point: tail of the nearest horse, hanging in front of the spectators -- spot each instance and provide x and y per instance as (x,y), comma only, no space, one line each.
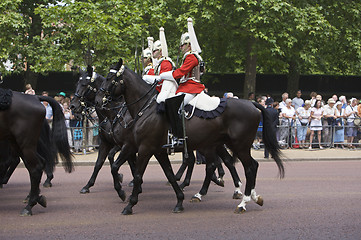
(270,139)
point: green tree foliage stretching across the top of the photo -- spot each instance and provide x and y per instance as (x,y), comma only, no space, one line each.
(304,36)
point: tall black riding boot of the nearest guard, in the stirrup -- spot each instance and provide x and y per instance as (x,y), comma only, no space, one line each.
(172,106)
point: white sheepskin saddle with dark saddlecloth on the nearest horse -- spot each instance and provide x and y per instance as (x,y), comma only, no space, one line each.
(205,106)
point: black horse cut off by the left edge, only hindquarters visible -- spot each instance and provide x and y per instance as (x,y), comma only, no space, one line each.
(21,124)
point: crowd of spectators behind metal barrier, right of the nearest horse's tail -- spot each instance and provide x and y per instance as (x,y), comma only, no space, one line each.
(315,123)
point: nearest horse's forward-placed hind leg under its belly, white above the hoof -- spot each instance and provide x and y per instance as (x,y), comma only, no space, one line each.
(211,163)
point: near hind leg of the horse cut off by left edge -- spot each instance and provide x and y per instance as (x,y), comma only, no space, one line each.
(35,171)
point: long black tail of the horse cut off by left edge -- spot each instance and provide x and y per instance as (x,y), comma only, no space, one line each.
(59,133)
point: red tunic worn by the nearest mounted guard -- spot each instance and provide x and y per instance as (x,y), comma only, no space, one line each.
(190,86)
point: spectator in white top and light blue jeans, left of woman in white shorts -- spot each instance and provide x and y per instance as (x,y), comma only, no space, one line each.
(303,120)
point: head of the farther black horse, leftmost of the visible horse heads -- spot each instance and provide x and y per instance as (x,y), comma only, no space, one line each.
(86,88)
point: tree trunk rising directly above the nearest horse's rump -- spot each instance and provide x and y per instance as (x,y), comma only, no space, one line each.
(251,69)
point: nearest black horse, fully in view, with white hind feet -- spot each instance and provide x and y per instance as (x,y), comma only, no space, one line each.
(236,128)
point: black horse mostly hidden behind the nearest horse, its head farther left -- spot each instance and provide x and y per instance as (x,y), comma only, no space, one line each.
(111,133)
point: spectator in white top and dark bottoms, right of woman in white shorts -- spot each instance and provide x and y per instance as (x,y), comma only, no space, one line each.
(328,121)
